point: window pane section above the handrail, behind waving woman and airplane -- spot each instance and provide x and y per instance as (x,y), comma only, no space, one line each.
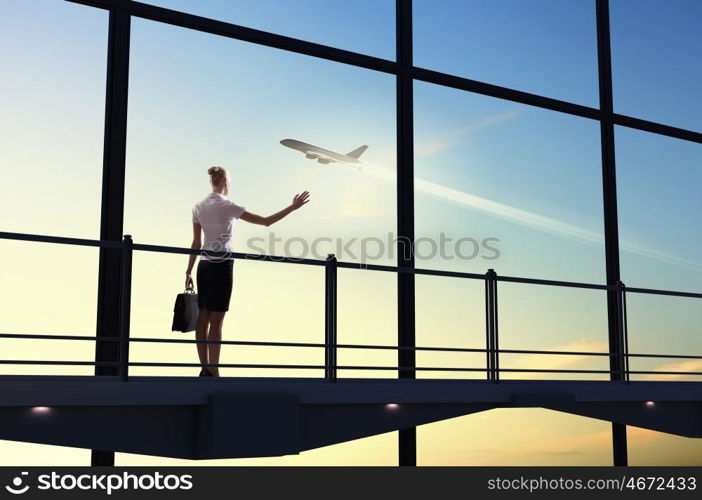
(198,100)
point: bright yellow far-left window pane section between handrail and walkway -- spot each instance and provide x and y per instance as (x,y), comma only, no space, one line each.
(42,297)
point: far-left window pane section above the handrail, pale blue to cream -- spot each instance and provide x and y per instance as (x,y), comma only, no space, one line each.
(52,96)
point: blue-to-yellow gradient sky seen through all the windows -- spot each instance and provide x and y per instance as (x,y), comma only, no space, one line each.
(524,181)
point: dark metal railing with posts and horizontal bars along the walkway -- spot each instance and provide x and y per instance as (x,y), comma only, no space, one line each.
(330,345)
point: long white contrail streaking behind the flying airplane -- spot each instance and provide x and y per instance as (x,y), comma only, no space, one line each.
(527,218)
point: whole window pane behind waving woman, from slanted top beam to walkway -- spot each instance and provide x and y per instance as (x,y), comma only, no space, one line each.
(198,100)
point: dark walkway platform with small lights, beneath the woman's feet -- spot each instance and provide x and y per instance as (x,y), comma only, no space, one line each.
(204,418)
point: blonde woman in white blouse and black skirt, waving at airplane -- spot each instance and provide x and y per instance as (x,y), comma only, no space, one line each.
(216,216)
